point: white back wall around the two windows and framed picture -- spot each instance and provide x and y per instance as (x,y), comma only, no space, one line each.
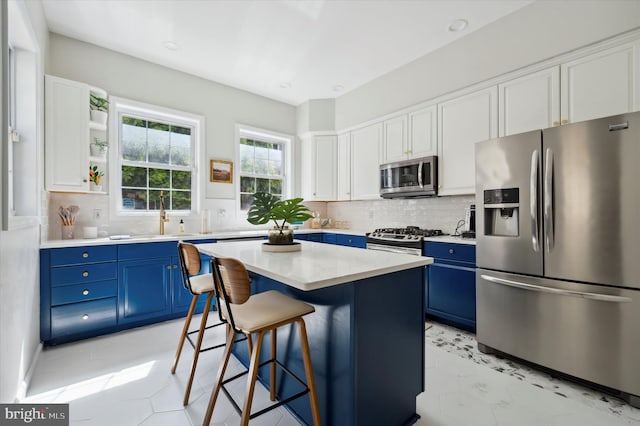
(222,106)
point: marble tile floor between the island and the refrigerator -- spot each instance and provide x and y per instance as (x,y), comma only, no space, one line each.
(467,387)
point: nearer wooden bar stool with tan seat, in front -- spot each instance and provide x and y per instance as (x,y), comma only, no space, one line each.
(258,314)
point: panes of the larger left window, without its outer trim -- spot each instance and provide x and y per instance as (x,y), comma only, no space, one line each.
(156,156)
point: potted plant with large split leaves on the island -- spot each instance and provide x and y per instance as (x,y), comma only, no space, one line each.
(267,207)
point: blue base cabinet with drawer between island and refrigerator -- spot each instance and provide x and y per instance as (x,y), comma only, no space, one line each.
(450,289)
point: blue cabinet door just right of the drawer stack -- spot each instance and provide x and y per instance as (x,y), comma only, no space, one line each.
(144,289)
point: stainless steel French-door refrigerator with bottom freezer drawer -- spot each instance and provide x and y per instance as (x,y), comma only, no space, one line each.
(558,249)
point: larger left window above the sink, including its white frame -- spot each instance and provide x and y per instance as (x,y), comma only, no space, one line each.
(156,154)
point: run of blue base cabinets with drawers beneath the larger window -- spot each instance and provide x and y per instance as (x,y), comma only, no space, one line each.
(94,290)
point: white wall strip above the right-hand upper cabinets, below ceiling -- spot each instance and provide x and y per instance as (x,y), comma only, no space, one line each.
(534,33)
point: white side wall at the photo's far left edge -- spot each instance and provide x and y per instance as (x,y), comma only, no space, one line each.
(19,258)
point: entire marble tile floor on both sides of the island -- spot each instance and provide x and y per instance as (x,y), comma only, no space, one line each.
(123,379)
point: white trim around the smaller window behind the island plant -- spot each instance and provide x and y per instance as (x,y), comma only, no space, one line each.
(267,136)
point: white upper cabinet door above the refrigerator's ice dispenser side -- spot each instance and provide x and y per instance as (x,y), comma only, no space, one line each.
(529,102)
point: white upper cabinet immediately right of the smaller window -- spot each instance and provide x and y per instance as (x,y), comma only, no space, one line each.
(320,172)
